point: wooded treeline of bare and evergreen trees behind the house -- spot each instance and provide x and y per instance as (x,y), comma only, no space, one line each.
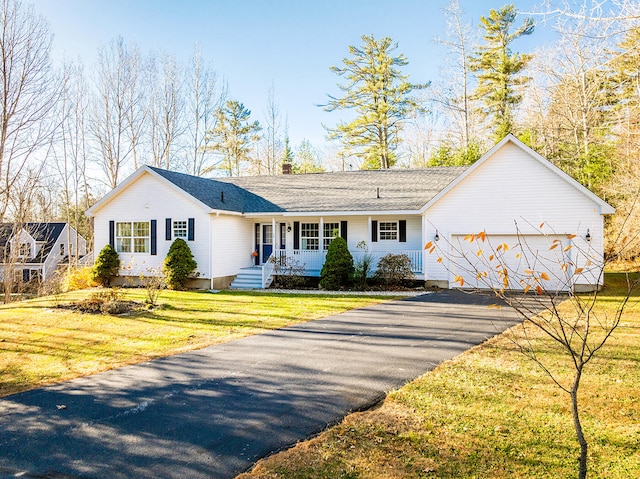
(68,135)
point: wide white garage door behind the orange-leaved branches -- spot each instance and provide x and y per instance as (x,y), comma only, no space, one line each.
(531,262)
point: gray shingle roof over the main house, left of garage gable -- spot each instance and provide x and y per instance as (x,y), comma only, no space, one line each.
(379,190)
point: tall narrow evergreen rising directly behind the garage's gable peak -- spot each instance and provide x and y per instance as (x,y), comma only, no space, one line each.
(498,68)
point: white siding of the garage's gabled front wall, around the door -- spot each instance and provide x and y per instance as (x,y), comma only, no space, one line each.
(511,193)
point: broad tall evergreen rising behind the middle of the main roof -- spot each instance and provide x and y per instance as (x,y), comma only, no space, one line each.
(381,98)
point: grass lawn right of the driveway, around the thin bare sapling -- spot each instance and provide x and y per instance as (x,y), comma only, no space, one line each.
(490,413)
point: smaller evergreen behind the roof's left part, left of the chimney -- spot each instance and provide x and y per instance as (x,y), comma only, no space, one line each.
(233,136)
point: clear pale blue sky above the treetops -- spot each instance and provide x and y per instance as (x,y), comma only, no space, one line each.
(253,44)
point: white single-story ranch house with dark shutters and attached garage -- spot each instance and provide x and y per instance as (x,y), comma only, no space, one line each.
(512,194)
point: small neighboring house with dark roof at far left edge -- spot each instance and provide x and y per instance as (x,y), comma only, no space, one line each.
(33,251)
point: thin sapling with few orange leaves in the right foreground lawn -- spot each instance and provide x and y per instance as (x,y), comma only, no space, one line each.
(549,302)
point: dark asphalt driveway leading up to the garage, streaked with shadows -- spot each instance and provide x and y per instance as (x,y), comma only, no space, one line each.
(212,413)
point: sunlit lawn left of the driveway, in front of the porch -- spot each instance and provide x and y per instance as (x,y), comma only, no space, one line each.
(41,344)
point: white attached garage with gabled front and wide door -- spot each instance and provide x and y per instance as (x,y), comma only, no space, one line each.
(541,228)
